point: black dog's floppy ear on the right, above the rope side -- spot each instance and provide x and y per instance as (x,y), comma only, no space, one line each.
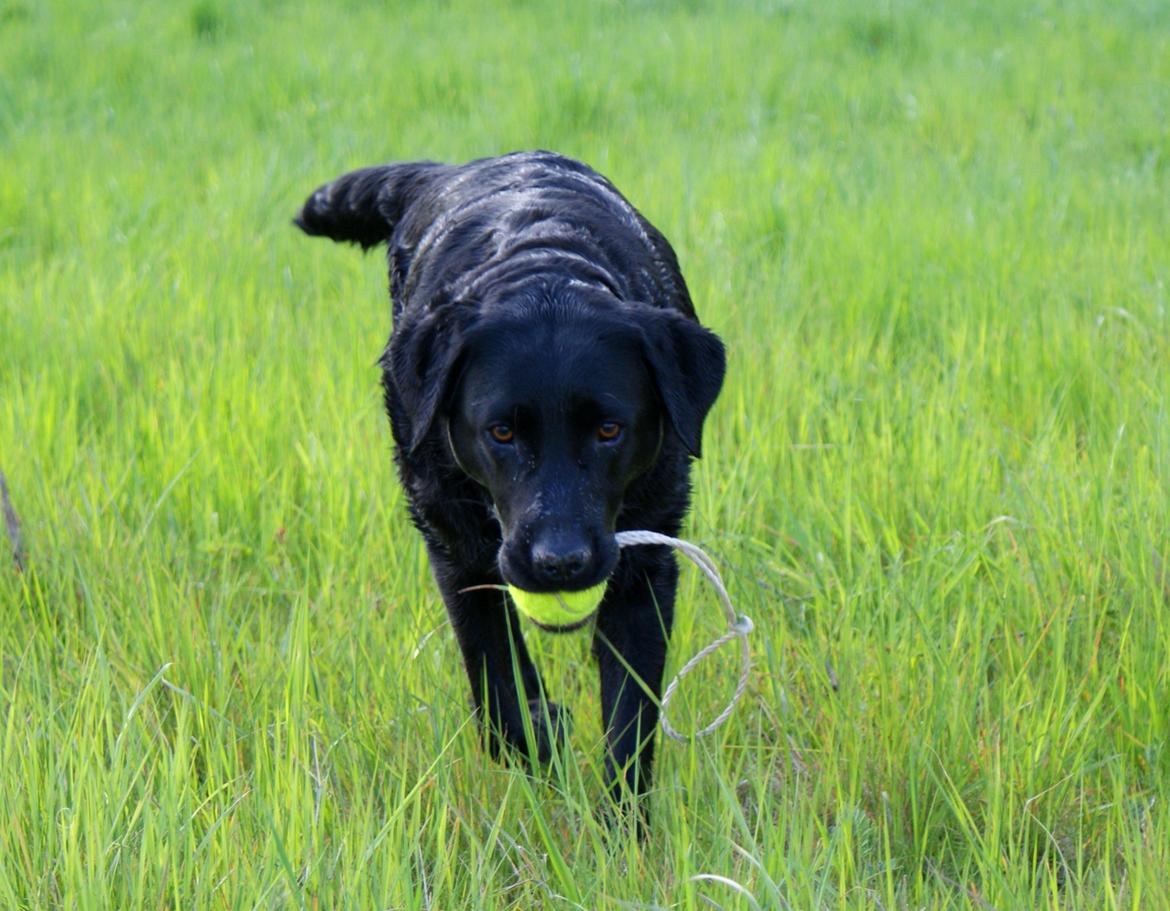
(687,363)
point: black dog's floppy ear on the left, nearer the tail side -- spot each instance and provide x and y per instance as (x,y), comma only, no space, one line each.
(423,362)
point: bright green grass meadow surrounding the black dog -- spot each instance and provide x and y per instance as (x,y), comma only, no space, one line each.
(935,240)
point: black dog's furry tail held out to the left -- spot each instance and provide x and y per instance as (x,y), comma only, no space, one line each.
(364,206)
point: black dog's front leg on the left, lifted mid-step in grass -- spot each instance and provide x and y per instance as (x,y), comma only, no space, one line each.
(506,686)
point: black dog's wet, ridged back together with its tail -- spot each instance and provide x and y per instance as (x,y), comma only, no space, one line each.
(456,231)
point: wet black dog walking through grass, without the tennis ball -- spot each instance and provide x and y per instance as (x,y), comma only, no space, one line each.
(547,383)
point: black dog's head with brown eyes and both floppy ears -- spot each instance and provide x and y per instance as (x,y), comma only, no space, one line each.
(556,410)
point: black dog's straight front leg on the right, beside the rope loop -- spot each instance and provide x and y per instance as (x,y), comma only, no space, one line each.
(630,644)
